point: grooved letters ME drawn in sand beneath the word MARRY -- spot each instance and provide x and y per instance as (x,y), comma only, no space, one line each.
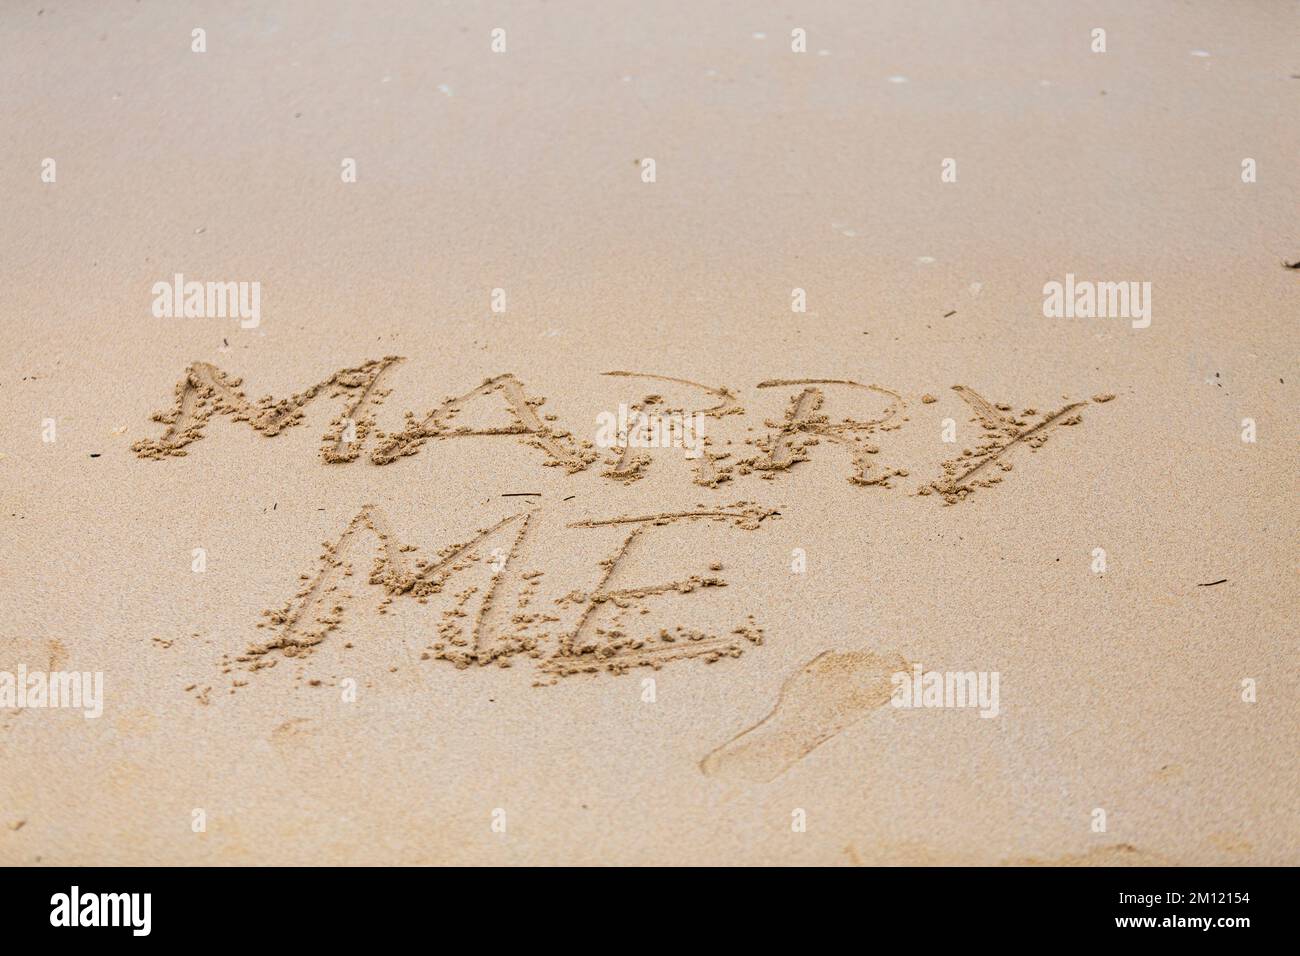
(500,631)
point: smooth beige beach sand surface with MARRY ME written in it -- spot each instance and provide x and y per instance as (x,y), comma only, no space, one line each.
(506,646)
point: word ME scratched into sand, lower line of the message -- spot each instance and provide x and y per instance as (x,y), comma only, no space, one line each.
(491,607)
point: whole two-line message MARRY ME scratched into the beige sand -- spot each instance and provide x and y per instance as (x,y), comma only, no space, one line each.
(497,612)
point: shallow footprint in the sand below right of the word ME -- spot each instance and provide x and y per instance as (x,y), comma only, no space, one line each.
(825,697)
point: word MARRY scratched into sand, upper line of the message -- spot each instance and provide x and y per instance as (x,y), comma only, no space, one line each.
(205,391)
